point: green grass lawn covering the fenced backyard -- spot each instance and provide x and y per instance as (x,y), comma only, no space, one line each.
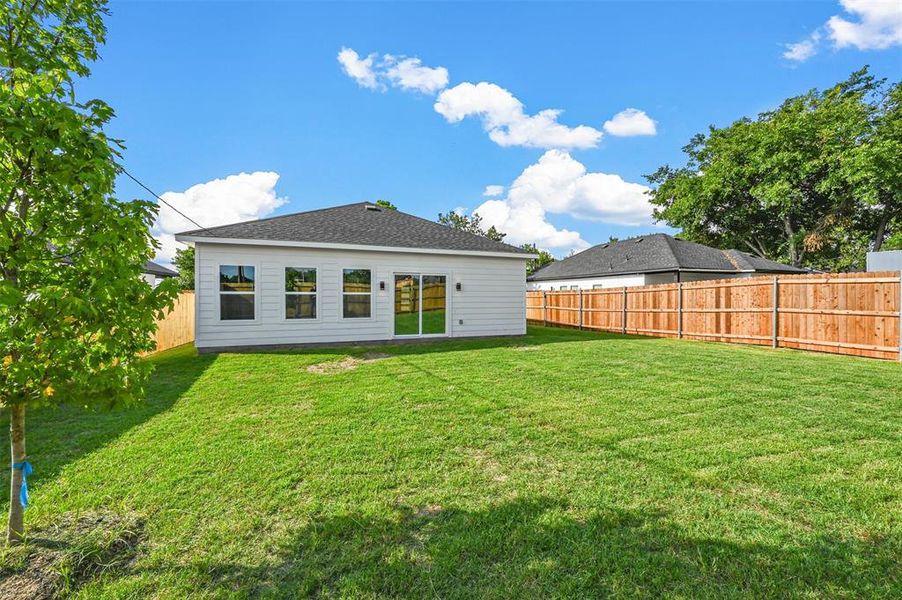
(566,464)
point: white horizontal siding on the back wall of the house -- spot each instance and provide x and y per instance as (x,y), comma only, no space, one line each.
(491,302)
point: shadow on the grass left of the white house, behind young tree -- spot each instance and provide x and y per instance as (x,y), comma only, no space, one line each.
(56,436)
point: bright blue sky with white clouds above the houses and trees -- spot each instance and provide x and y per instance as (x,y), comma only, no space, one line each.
(207,91)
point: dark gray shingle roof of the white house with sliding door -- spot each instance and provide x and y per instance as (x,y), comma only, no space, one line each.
(361,224)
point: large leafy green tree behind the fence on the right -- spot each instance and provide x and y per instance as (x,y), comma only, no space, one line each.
(815,182)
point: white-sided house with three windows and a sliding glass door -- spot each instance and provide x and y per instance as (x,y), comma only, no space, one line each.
(353,273)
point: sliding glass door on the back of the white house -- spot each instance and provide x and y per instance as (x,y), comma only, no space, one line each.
(420,304)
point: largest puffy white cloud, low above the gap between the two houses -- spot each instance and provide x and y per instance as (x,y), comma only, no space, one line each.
(559,184)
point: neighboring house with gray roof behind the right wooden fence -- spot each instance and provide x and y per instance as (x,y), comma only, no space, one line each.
(647,260)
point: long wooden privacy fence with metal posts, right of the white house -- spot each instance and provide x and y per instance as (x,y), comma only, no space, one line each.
(850,313)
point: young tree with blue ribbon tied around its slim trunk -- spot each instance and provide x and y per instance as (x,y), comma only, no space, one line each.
(74,309)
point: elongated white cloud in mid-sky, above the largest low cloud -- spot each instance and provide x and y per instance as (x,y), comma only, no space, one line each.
(507,123)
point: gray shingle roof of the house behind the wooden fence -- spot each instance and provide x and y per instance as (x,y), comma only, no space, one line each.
(655,253)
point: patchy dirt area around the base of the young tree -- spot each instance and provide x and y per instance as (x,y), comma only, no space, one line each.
(58,560)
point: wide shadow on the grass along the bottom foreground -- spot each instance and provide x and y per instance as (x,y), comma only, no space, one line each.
(534,548)
